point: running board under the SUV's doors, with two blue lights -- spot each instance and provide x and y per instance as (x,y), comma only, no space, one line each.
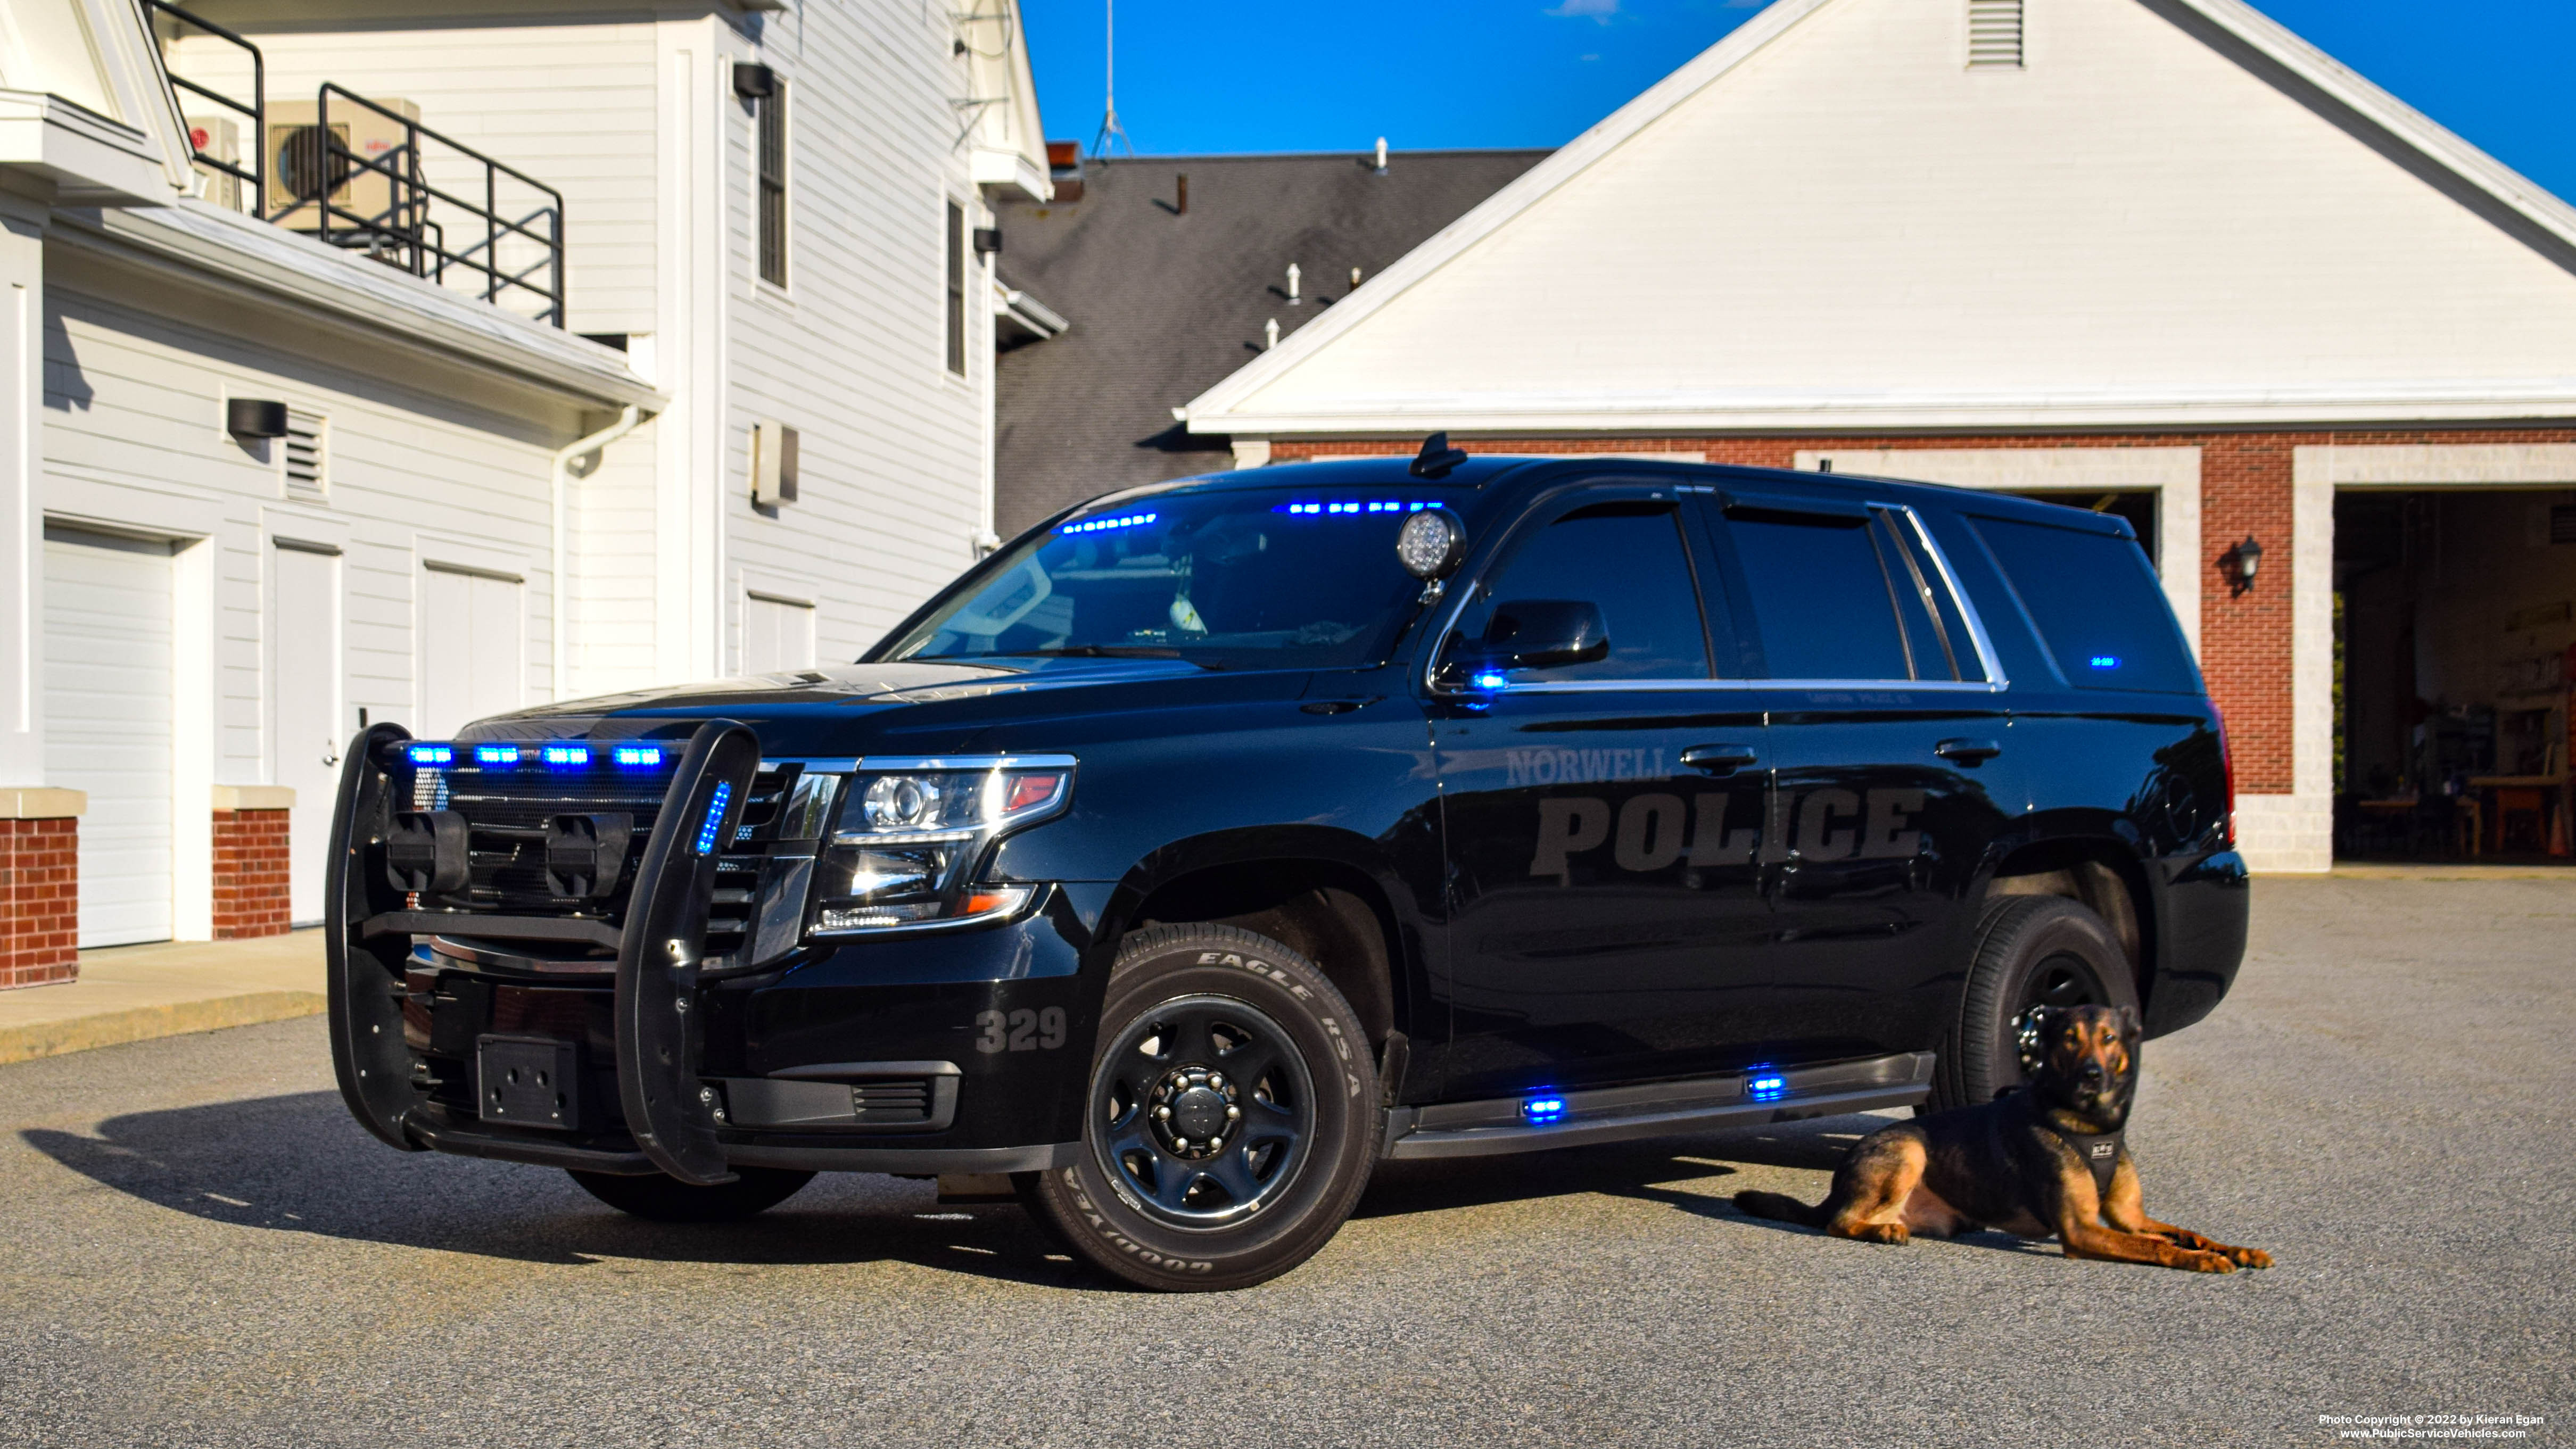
(1658,1111)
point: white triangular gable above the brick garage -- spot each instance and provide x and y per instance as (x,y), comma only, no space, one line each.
(2083,243)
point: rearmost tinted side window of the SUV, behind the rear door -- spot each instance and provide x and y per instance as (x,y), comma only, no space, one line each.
(2096,604)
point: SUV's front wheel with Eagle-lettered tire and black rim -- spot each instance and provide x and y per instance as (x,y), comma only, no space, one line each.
(1230,1123)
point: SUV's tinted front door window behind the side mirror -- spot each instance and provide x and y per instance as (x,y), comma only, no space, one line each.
(1624,557)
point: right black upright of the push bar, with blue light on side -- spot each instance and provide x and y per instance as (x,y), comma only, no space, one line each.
(661,1038)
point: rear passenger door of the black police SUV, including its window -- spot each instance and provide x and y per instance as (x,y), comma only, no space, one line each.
(1889,748)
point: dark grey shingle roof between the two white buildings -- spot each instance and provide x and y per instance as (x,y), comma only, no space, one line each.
(1168,305)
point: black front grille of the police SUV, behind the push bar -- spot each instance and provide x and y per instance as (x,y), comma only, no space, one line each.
(506,838)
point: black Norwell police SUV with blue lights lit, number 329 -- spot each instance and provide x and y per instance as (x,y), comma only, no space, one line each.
(1217,840)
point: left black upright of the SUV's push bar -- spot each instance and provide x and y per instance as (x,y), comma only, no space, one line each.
(365,977)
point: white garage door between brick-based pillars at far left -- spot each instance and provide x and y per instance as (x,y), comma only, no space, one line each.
(107,724)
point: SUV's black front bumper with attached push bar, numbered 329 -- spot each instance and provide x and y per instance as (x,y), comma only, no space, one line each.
(936,1054)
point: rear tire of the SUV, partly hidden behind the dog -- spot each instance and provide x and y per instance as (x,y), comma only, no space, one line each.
(2029,951)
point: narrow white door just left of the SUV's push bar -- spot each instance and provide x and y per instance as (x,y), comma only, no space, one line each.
(308,730)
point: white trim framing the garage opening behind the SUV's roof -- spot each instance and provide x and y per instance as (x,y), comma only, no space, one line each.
(2173,475)
